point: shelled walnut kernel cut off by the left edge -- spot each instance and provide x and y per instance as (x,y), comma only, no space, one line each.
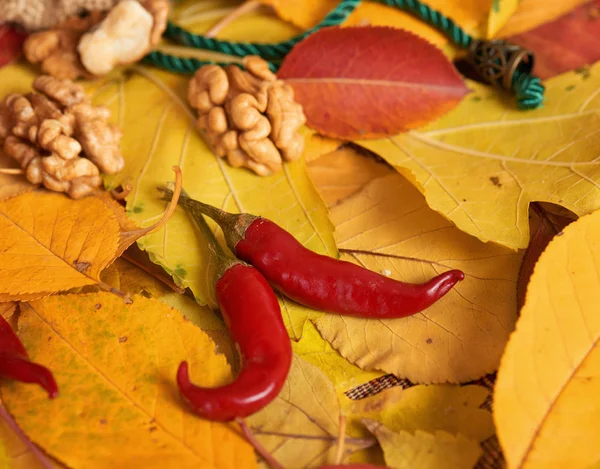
(58,138)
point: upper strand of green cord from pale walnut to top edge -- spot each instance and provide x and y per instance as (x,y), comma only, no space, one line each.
(266,51)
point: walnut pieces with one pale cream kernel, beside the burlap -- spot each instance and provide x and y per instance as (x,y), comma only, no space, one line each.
(91,45)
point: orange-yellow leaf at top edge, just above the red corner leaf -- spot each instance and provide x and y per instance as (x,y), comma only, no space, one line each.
(533,13)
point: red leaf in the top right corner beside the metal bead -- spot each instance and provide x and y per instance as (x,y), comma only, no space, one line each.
(565,44)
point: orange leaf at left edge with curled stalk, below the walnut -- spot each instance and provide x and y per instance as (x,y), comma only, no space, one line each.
(50,243)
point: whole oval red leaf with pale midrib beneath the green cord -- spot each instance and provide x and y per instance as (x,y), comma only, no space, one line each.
(369,82)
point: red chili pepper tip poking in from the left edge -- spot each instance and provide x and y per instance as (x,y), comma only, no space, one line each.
(15,364)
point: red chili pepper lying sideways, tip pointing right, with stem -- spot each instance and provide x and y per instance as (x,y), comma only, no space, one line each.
(318,281)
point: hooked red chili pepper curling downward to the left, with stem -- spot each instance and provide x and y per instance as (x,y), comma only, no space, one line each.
(253,317)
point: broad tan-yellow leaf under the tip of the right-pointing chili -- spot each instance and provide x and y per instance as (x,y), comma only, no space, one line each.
(389,228)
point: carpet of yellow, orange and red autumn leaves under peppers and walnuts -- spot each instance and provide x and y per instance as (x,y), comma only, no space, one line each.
(409,169)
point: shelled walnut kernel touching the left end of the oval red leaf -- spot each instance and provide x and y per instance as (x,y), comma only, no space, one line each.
(250,117)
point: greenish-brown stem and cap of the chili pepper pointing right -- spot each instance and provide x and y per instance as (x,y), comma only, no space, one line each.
(234,224)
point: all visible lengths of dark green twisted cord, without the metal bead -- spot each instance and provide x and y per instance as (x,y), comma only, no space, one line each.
(528,89)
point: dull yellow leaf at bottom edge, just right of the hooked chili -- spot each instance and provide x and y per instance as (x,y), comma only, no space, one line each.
(300,427)
